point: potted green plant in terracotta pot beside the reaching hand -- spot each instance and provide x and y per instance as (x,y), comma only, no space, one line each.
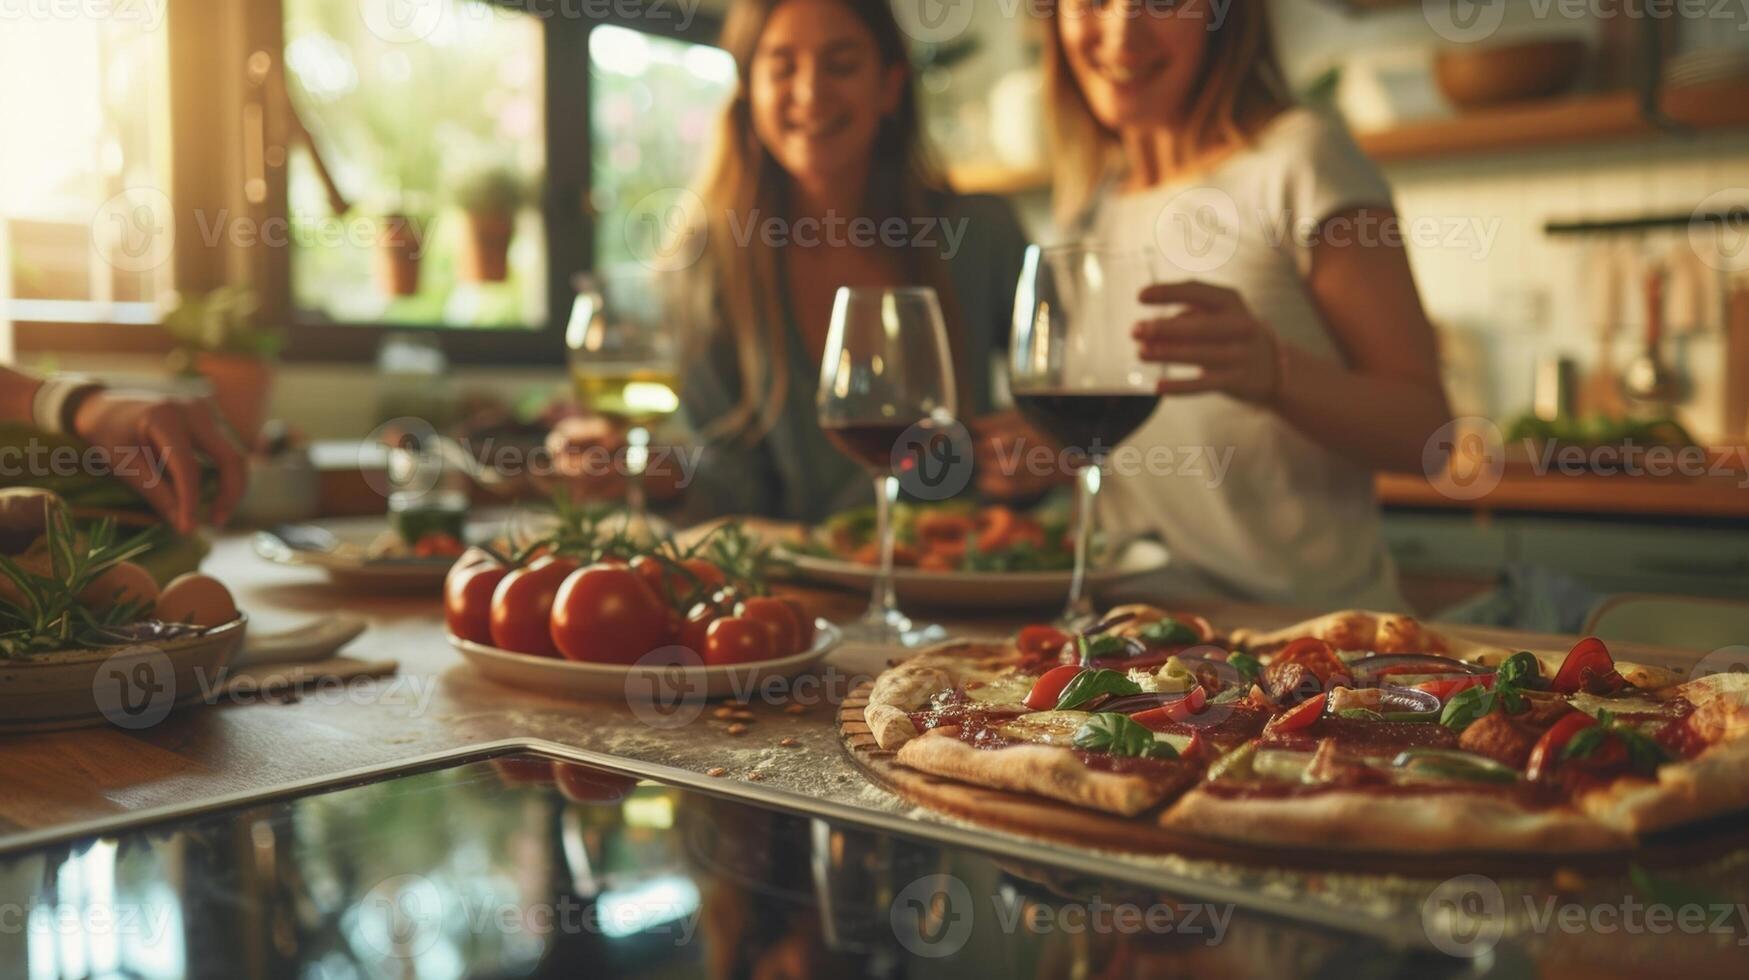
(218,339)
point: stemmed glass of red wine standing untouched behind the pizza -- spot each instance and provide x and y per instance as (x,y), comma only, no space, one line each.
(886,375)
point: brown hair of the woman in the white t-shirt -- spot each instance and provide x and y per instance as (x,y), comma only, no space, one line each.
(1241,83)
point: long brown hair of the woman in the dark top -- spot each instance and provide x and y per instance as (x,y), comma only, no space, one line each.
(742,178)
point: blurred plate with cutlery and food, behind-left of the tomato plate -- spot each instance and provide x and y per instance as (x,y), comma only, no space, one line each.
(410,552)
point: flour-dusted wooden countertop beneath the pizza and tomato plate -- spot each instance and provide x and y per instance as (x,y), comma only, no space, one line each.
(438,706)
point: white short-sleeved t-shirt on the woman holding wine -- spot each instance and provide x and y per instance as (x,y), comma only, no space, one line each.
(1248,505)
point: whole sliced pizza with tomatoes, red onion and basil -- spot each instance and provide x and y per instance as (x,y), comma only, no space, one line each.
(1309,738)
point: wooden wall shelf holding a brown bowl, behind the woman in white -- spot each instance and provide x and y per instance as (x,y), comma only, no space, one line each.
(1509,129)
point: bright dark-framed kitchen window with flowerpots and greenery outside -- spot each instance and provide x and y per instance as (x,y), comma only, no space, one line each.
(440,167)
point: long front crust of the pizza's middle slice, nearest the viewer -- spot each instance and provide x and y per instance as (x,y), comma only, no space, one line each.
(1348,820)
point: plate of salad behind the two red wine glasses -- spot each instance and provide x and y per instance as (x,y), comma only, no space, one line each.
(966,556)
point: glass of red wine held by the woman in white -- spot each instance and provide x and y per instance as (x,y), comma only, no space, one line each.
(1075,372)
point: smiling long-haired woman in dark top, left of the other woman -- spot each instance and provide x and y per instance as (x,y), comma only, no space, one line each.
(823,179)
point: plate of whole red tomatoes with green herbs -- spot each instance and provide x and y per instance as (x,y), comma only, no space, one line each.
(594,612)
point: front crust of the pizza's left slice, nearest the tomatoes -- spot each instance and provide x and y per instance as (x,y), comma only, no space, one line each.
(1045,771)
